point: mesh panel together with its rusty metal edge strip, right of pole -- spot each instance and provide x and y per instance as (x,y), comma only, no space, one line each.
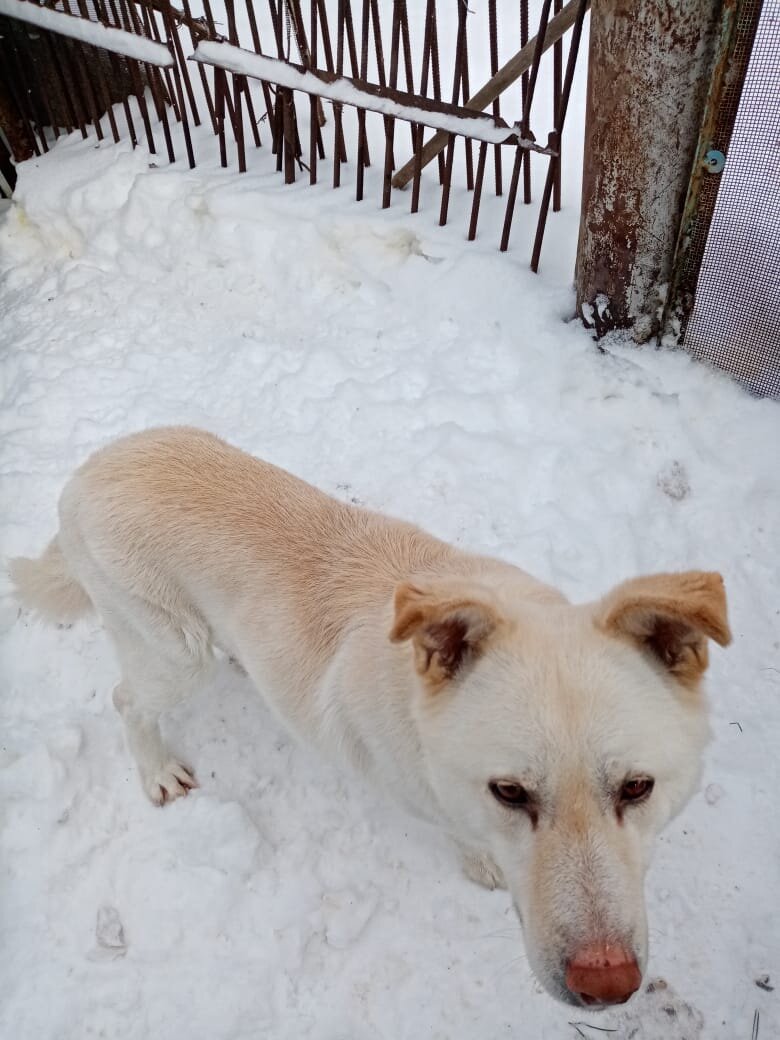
(724,304)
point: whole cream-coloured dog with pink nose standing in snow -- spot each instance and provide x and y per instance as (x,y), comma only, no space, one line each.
(552,741)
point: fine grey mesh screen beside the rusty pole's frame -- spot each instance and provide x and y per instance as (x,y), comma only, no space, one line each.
(736,320)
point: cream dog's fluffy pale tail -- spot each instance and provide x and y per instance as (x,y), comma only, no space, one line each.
(47,587)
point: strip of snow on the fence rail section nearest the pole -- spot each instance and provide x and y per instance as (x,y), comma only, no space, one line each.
(258,66)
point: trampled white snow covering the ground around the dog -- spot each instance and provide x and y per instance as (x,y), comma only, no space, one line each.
(392,365)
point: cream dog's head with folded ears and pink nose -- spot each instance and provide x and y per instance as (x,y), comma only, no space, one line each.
(563,739)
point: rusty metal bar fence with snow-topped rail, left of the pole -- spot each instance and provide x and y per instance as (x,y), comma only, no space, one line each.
(65,65)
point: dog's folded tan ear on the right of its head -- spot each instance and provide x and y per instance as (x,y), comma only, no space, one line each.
(672,616)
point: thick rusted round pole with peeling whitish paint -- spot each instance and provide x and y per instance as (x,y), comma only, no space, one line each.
(649,69)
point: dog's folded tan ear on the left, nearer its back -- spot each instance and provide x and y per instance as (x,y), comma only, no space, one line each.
(449,623)
